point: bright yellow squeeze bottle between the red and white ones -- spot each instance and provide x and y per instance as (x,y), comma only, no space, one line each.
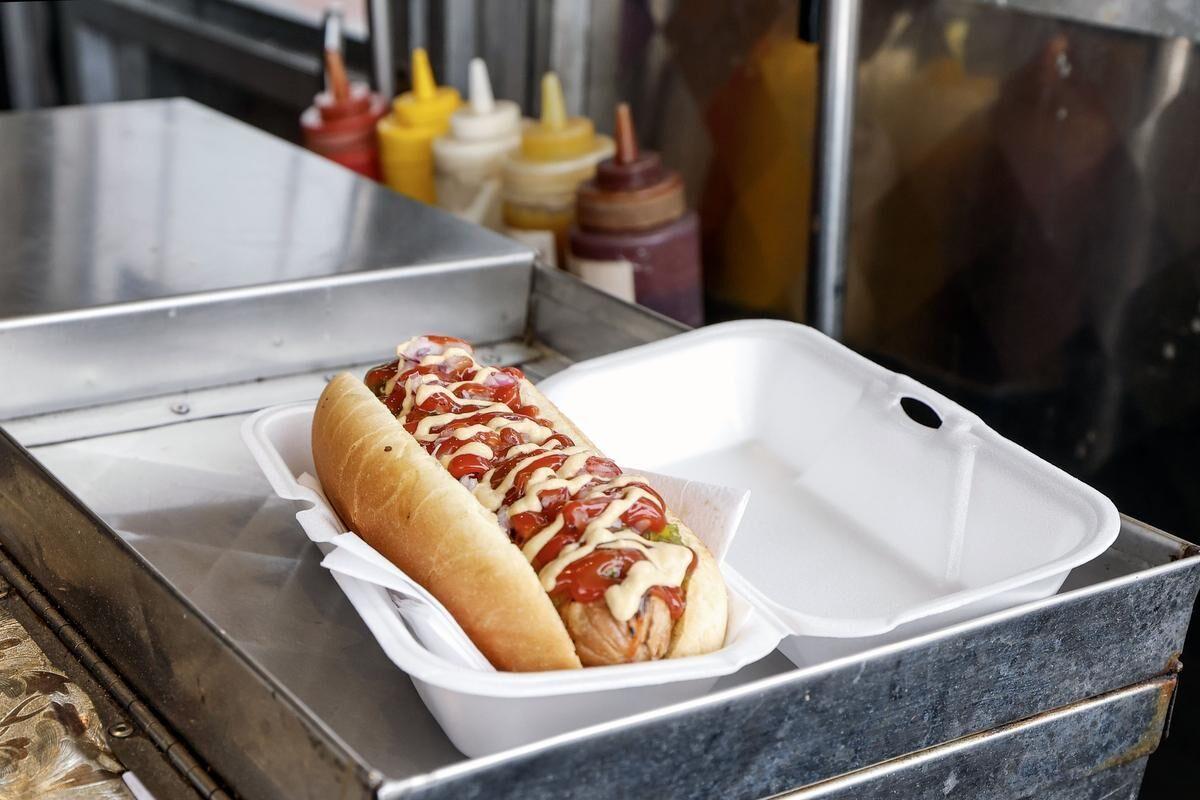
(407,134)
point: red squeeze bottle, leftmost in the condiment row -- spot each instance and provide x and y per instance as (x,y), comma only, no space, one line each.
(341,123)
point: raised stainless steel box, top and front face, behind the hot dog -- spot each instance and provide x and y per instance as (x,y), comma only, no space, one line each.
(159,246)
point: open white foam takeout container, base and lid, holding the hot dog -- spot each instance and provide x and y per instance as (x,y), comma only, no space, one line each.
(862,526)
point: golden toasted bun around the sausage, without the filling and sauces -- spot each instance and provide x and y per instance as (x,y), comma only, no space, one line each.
(406,506)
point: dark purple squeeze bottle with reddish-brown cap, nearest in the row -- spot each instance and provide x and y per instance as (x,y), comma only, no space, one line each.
(634,236)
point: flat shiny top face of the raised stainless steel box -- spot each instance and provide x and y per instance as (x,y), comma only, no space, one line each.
(135,202)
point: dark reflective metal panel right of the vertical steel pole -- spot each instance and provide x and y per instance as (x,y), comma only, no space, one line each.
(1025,222)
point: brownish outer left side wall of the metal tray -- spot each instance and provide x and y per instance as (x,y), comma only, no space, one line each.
(256,736)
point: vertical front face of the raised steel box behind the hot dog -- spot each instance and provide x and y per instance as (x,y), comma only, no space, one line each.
(212,339)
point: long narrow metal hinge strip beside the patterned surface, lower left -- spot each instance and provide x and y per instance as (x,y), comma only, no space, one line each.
(110,681)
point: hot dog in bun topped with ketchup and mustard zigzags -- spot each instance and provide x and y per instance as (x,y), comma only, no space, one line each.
(547,554)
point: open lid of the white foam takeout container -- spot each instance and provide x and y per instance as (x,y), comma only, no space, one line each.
(862,519)
